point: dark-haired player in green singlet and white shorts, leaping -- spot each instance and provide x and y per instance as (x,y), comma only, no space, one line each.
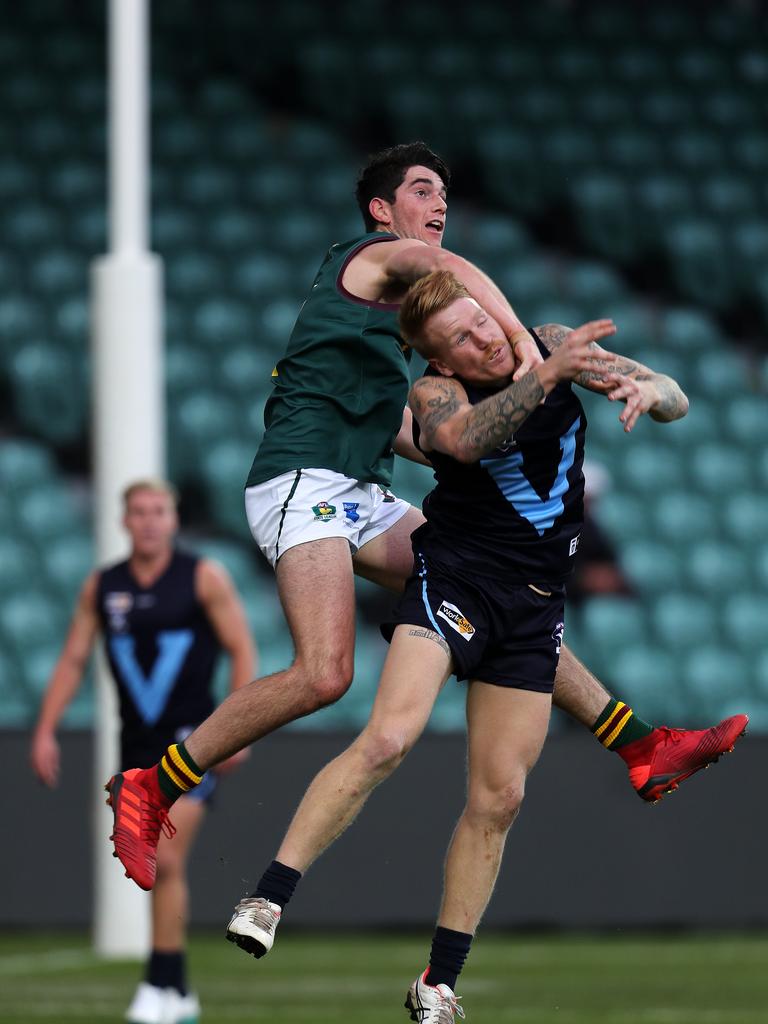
(318,499)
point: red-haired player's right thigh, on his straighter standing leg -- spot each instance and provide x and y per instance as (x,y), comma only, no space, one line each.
(506,729)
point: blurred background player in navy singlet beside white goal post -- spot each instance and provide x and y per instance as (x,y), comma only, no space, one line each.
(164,615)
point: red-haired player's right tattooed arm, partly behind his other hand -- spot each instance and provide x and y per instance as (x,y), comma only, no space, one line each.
(625,380)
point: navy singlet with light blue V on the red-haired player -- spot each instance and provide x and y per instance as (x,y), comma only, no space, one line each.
(517,515)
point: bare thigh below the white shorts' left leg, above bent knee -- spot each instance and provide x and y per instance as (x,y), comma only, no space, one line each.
(317,589)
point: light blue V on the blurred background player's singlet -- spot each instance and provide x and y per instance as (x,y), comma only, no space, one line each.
(151,696)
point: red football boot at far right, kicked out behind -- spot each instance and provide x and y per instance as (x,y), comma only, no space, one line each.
(661,761)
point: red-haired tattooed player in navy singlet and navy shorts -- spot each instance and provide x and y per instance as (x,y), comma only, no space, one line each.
(486,601)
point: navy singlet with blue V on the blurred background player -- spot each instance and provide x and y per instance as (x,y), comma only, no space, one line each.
(162,652)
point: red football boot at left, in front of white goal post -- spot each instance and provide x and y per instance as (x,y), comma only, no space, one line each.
(141,812)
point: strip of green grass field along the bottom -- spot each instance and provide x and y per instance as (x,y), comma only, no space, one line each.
(329,978)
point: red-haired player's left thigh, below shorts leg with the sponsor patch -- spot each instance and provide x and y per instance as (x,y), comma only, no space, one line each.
(416,669)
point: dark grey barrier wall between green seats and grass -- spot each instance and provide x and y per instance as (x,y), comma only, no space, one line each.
(585,852)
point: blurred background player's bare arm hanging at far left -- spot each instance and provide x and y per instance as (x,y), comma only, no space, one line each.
(64,685)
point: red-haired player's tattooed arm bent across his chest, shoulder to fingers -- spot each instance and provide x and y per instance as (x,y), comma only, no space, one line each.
(450,424)
